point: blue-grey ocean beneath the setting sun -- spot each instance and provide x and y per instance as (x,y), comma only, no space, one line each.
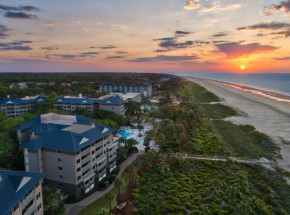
(277,83)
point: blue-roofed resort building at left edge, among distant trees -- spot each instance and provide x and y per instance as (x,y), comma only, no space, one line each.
(17,107)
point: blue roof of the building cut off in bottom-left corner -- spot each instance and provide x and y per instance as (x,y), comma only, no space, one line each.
(14,187)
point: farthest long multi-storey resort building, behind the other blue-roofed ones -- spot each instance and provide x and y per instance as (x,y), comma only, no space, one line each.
(144,88)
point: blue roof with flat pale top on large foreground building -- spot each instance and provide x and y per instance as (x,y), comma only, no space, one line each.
(63,132)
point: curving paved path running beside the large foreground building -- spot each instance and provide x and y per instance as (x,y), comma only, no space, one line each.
(74,209)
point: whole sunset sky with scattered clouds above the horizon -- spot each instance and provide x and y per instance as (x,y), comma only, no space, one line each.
(145,36)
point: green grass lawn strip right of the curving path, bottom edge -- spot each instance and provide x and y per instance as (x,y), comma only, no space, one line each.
(96,206)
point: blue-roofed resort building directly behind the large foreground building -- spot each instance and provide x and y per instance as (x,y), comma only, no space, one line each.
(113,103)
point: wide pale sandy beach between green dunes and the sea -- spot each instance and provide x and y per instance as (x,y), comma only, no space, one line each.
(270,115)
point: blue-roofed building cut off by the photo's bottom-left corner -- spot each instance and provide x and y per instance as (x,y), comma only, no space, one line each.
(21,193)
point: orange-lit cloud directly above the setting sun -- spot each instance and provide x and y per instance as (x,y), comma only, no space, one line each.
(235,50)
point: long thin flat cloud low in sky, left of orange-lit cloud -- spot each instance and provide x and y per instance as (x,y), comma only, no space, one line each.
(160,58)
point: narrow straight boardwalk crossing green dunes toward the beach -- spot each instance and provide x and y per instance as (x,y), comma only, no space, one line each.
(223,159)
